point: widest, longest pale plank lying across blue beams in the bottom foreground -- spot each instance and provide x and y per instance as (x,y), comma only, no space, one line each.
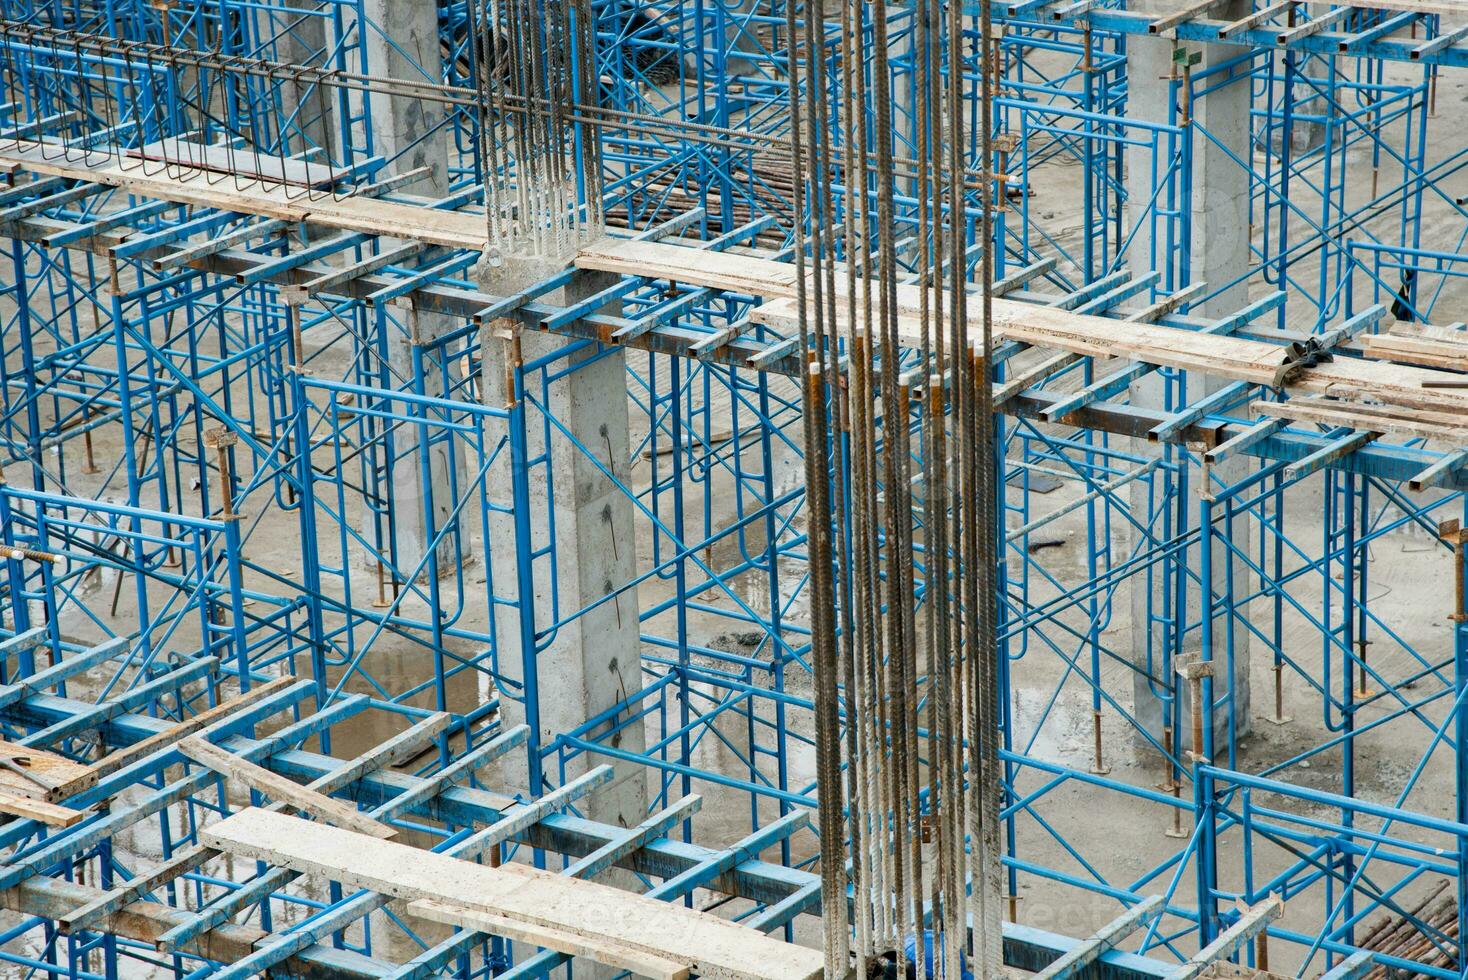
(713,947)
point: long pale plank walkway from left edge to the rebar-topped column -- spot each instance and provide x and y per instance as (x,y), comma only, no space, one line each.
(192,186)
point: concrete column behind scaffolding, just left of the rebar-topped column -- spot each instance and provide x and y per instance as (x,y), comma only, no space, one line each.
(410,134)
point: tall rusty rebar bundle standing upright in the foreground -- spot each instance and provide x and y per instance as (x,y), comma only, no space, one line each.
(917,728)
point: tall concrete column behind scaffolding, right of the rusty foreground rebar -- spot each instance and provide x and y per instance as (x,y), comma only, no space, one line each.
(1221,255)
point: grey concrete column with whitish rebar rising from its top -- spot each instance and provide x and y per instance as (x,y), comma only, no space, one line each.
(594,662)
